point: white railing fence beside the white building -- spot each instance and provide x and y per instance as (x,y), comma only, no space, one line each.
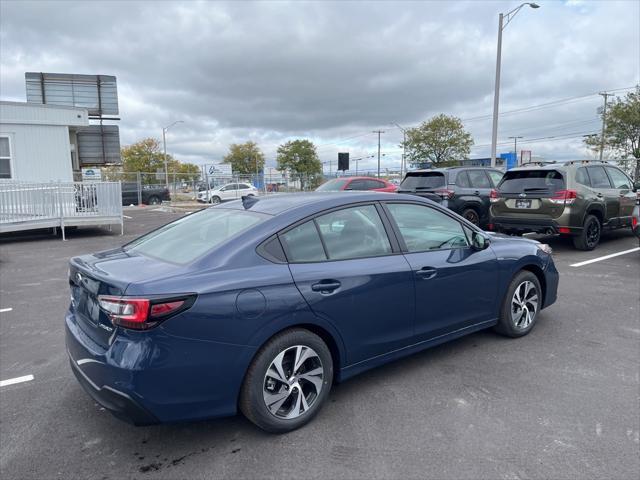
(27,206)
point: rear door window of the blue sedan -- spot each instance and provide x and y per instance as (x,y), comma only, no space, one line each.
(354,232)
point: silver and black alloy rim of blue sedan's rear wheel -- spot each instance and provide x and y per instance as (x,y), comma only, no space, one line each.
(293,382)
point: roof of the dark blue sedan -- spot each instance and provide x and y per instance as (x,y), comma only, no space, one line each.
(310,202)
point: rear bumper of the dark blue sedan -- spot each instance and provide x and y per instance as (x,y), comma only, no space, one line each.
(150,377)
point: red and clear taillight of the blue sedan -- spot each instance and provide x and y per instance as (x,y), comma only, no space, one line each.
(142,313)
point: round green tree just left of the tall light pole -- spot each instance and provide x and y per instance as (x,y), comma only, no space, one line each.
(441,141)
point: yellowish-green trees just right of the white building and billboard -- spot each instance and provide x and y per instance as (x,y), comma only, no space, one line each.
(146,156)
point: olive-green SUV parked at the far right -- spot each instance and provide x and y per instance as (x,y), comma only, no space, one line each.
(577,198)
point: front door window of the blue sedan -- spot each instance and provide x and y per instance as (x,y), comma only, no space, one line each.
(424,228)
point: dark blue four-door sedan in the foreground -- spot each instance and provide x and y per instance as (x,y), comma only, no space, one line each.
(261,304)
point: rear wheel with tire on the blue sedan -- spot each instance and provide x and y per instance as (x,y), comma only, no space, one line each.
(291,392)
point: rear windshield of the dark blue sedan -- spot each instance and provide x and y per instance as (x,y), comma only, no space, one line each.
(190,237)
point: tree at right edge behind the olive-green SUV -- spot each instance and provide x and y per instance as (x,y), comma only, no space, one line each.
(622,133)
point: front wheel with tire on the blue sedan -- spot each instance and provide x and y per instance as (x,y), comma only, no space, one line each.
(524,291)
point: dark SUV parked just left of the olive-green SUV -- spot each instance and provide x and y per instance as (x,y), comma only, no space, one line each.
(465,190)
